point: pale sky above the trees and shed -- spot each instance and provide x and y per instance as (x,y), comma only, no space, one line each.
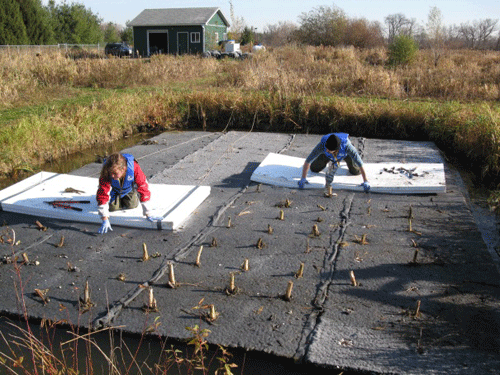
(259,13)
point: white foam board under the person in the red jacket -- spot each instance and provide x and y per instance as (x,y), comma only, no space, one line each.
(174,203)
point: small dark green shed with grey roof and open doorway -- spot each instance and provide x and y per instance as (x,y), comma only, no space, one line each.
(178,30)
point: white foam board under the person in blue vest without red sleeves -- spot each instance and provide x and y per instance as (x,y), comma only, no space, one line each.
(390,178)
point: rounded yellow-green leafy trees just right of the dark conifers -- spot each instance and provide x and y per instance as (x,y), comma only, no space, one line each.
(75,24)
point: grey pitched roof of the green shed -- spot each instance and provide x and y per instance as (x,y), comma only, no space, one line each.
(176,17)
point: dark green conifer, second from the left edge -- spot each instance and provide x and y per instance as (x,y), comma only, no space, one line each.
(37,22)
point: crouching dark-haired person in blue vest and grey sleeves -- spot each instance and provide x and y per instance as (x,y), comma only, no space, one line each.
(331,150)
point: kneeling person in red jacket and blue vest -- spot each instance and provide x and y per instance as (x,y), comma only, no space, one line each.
(122,185)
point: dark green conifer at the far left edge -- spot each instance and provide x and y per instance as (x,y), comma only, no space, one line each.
(12,28)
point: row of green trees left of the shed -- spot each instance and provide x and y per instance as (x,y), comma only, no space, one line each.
(29,22)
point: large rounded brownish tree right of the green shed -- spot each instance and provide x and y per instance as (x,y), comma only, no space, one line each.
(323,26)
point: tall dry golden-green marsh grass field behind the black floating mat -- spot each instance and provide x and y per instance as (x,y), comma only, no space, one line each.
(453,101)
